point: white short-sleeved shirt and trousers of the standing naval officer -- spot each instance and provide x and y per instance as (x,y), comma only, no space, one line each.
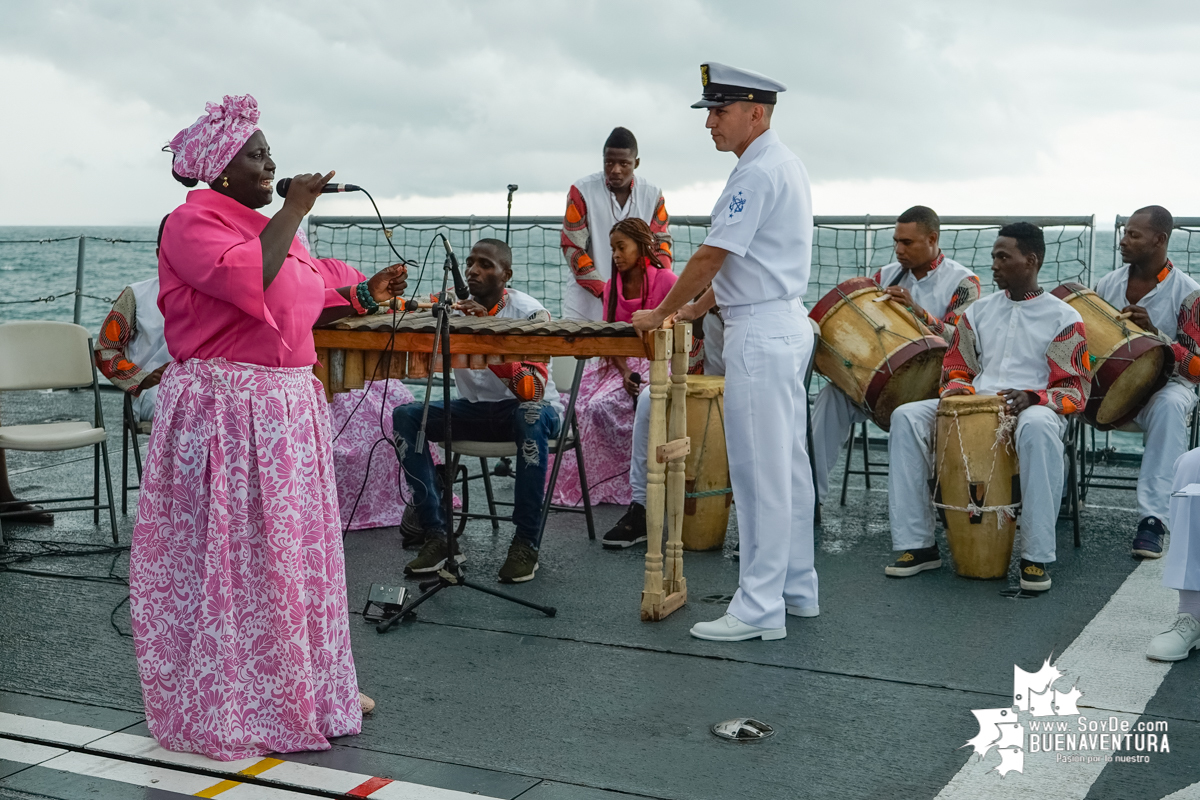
(764,221)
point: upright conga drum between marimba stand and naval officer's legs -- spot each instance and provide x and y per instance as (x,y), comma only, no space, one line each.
(707,492)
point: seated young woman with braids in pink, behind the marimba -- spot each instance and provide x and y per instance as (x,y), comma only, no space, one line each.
(610,387)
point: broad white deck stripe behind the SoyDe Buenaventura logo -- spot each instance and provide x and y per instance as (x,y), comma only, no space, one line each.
(1109,663)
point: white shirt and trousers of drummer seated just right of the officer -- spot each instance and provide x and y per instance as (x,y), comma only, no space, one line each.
(833,413)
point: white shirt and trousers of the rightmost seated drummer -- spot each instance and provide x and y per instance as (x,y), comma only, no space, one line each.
(1165,419)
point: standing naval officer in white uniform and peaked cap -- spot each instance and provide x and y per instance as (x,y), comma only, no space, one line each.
(758,257)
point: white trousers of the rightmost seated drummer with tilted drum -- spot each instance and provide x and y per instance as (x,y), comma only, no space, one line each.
(1165,425)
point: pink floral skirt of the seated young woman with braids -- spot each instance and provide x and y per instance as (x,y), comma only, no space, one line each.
(605,412)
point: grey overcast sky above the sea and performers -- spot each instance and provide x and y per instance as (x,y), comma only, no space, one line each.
(970,107)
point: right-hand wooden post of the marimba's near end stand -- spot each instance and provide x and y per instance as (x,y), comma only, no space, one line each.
(675,585)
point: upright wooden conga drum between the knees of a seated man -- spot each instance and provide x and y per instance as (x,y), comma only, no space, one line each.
(979,483)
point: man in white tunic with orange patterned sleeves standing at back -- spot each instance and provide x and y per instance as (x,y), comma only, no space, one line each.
(595,206)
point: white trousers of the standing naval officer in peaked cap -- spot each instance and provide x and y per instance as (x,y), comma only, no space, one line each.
(767,351)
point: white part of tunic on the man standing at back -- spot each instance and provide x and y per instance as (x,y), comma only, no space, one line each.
(603,214)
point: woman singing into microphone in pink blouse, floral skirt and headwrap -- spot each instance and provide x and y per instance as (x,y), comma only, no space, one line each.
(237,574)
